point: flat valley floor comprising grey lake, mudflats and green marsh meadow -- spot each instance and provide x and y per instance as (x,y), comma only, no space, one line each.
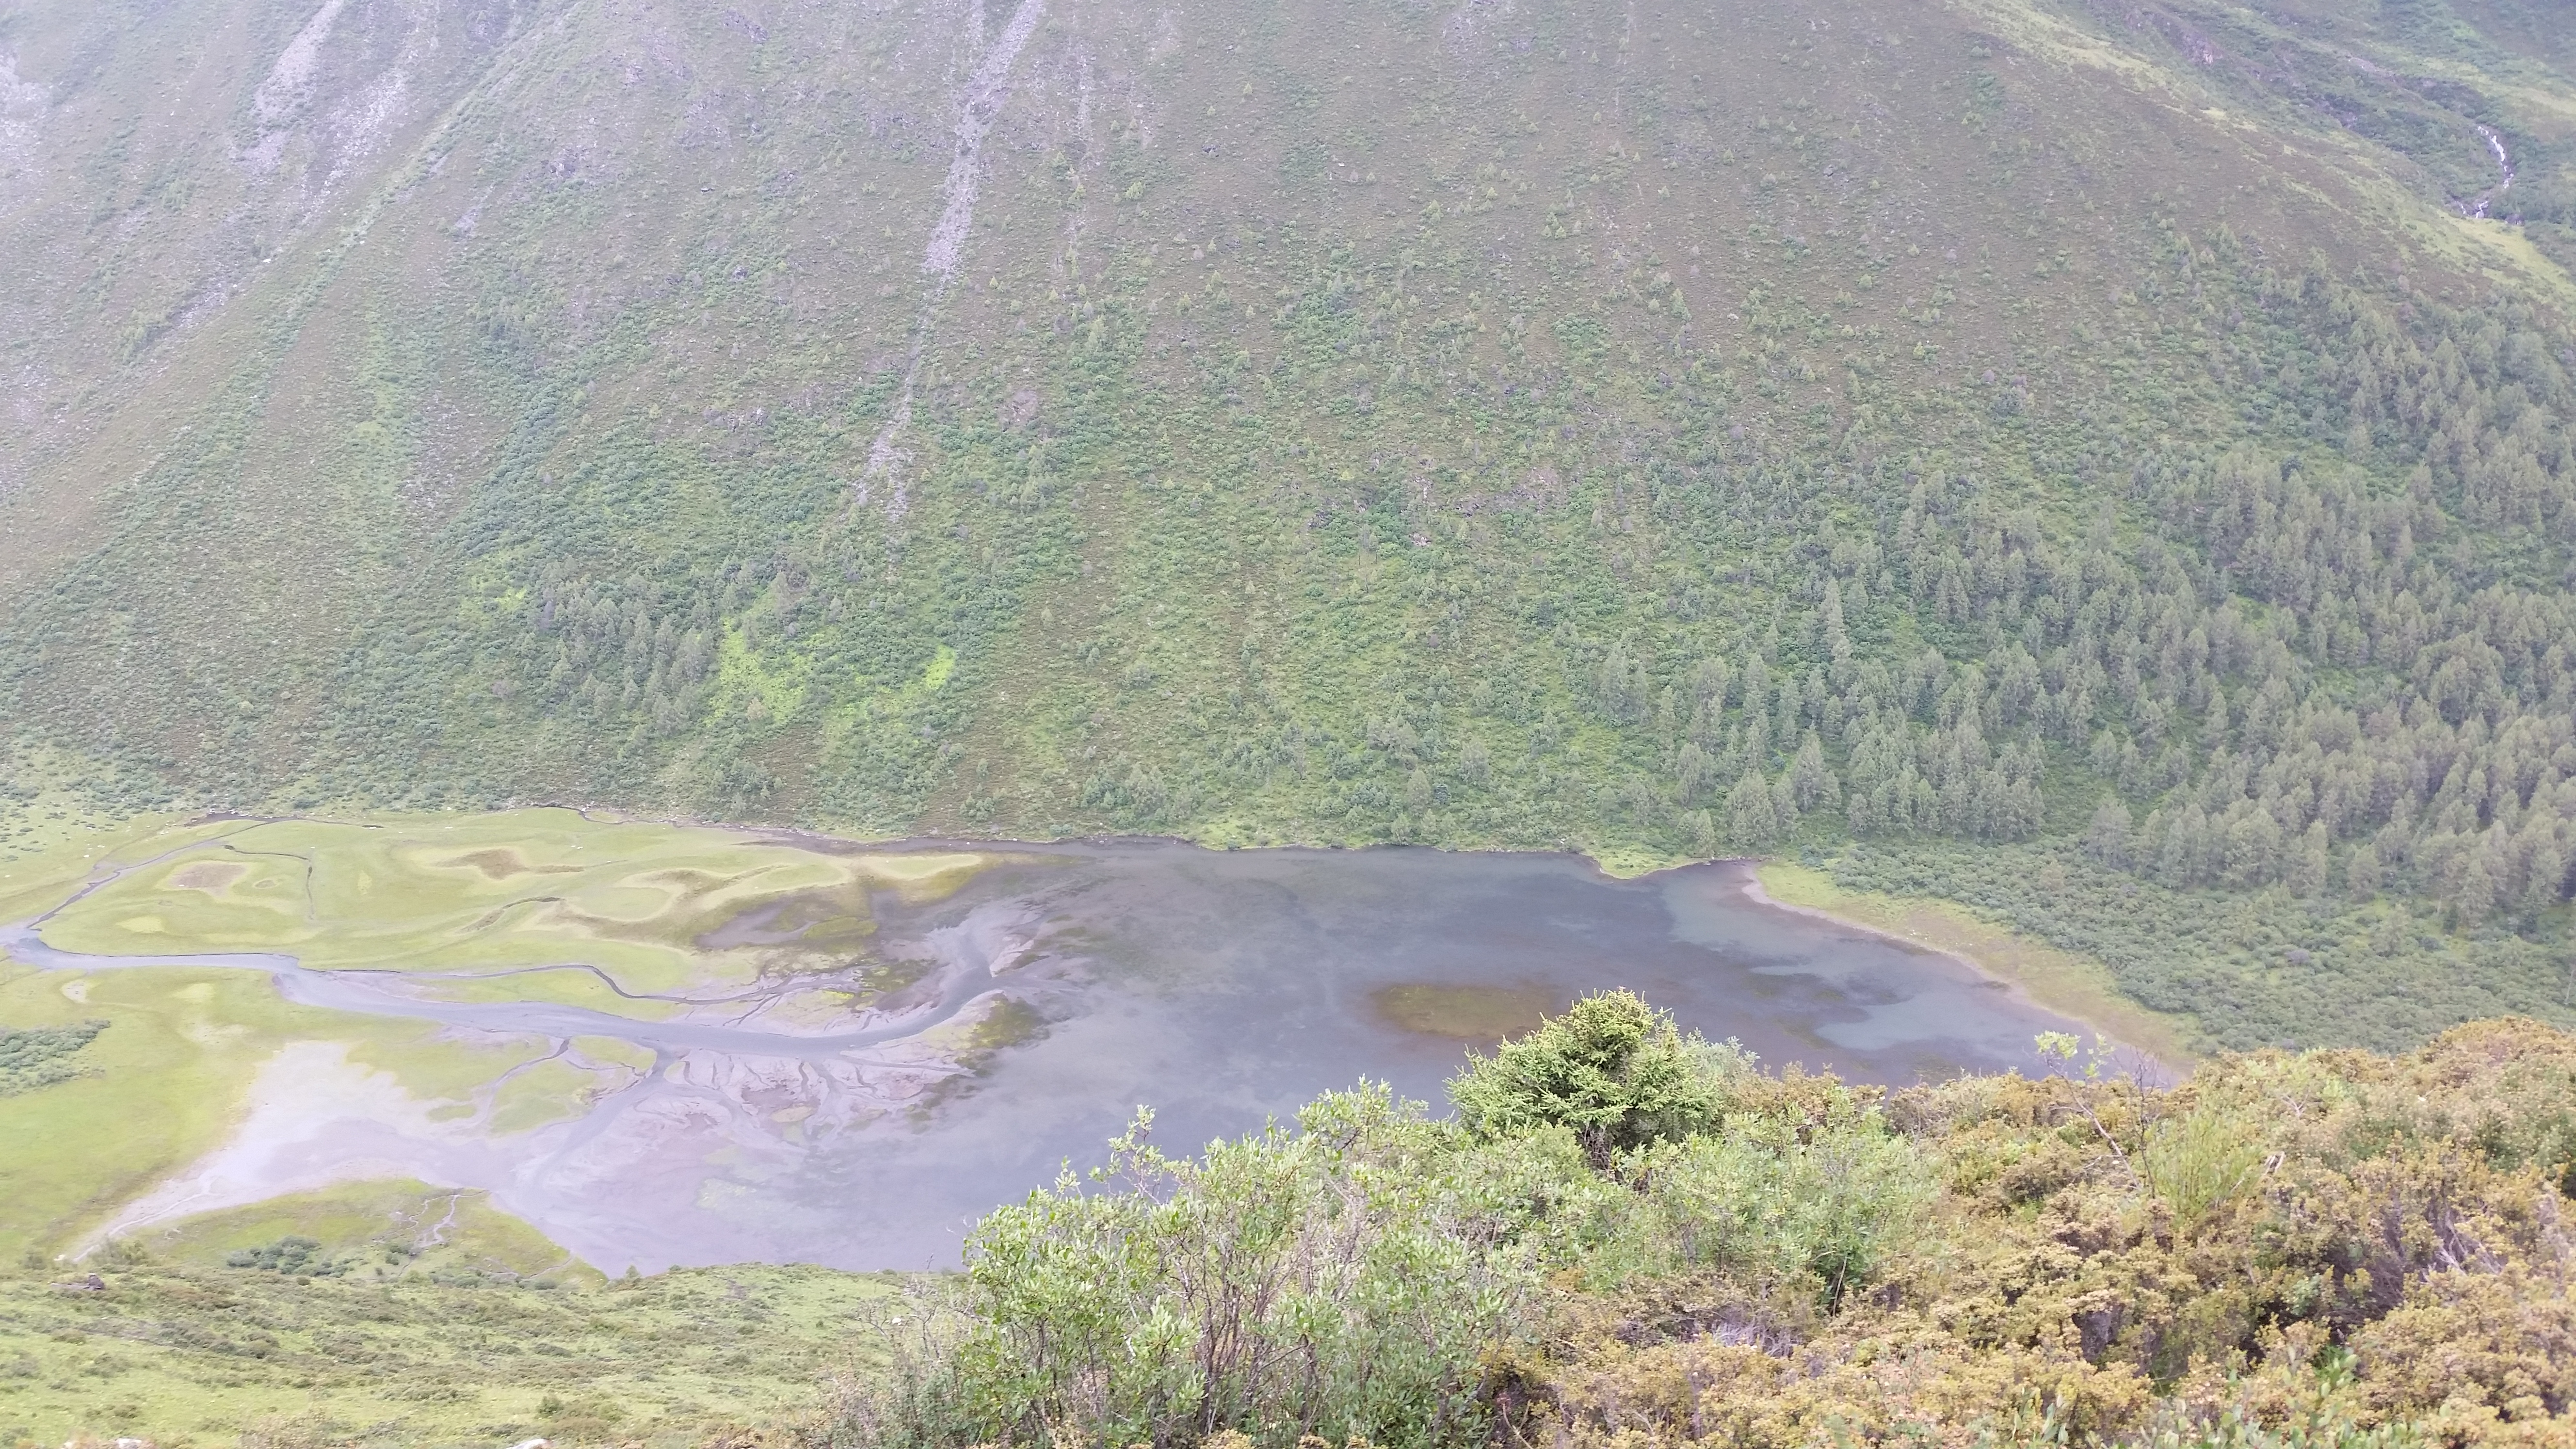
(671,1045)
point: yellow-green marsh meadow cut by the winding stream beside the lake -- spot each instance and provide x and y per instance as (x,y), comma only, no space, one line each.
(498,901)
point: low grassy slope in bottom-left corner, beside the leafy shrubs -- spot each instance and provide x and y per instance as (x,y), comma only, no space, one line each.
(207,1355)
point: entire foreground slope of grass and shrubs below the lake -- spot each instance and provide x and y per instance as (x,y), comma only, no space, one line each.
(1624,1236)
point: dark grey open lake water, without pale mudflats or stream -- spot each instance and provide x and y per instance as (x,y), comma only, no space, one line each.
(1227,989)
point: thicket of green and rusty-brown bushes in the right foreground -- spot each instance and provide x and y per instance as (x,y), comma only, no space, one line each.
(1640,1239)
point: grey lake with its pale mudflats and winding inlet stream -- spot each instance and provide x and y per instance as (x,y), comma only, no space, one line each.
(1215,986)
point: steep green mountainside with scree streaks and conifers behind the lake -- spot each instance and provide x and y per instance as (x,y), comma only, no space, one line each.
(2106,465)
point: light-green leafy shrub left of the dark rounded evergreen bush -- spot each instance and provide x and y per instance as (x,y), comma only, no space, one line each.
(1333,1280)
